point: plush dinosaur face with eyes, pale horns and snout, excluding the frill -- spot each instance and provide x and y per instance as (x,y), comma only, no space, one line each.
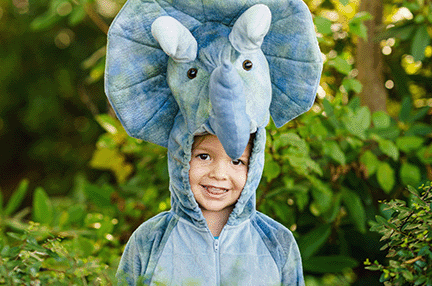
(227,83)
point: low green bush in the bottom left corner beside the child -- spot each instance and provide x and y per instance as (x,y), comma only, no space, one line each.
(73,241)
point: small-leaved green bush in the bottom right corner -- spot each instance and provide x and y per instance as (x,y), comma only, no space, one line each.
(408,240)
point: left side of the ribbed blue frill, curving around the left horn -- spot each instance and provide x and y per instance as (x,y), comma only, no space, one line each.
(135,72)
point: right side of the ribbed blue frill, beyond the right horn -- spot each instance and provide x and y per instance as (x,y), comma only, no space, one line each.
(294,58)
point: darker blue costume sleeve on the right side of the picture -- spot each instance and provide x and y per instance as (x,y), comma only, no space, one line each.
(282,246)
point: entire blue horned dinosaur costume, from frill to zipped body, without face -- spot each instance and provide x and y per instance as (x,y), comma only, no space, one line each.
(211,67)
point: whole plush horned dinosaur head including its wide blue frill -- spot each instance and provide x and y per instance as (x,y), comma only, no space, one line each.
(221,66)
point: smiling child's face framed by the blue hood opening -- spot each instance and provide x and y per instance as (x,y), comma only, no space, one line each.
(216,180)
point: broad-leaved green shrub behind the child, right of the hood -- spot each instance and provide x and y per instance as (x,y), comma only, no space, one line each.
(328,166)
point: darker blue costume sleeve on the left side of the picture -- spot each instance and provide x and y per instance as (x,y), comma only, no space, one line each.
(143,249)
